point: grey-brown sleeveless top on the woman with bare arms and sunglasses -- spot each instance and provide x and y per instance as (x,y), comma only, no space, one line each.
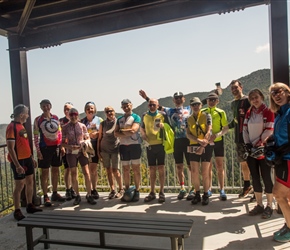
(109,143)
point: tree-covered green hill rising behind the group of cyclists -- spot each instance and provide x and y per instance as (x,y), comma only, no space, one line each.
(257,79)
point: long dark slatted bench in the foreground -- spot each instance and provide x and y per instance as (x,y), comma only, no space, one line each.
(175,229)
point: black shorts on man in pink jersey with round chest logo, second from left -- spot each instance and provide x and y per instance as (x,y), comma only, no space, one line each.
(51,157)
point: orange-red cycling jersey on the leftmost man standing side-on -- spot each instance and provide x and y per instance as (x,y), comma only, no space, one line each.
(23,150)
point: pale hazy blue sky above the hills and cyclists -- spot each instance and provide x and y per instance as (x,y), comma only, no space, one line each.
(187,56)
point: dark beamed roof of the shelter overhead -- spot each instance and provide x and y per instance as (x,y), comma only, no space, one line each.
(44,23)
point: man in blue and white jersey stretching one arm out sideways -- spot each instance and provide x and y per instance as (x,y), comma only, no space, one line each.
(177,119)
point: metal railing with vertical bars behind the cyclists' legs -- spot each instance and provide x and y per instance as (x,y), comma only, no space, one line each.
(233,180)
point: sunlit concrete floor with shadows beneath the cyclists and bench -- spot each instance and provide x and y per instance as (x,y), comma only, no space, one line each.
(220,225)
